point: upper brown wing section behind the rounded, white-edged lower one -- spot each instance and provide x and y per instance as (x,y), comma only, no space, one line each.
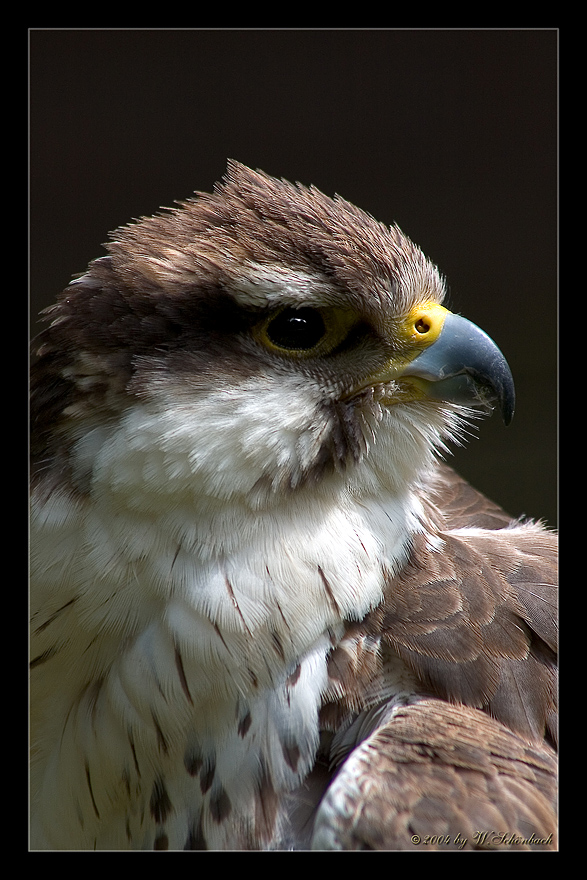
(476,622)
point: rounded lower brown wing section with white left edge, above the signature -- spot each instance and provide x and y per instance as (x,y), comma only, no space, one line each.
(436,777)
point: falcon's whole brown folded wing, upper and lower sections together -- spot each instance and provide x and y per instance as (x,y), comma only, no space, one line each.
(475,621)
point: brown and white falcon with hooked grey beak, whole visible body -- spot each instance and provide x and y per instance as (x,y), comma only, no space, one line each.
(266,615)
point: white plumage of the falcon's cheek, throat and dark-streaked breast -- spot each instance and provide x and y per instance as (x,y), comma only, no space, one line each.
(172,558)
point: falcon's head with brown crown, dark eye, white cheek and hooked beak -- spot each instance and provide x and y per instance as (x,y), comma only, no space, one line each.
(272,338)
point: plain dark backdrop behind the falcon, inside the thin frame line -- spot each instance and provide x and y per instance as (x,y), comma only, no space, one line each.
(450,133)
